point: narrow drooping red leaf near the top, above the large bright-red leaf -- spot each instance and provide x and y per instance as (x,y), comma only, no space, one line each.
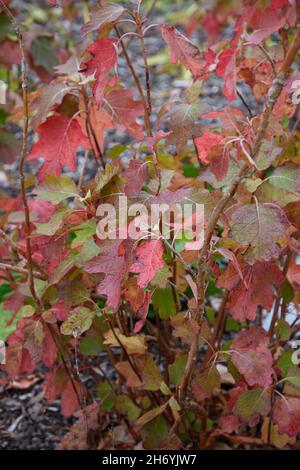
(103,58)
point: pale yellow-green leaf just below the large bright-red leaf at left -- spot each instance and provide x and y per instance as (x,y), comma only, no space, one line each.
(56,189)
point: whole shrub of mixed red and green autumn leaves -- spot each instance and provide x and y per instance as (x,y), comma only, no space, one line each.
(198,341)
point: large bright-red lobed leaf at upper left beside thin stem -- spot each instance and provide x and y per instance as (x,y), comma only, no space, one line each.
(59,138)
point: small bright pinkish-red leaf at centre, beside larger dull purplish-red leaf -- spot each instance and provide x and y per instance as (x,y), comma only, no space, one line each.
(149,261)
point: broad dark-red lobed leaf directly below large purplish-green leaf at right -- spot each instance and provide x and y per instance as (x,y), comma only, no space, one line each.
(260,279)
